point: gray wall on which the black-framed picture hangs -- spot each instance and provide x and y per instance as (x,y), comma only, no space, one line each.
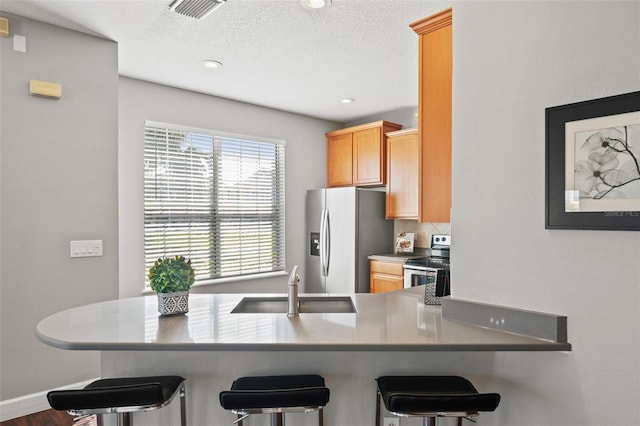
(511,61)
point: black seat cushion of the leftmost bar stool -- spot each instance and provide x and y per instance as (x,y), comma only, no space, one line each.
(119,392)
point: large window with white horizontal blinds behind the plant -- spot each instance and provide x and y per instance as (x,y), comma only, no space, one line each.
(216,198)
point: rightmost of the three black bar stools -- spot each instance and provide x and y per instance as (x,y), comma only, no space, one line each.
(431,397)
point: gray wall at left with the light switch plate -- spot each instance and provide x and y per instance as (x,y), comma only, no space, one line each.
(58,183)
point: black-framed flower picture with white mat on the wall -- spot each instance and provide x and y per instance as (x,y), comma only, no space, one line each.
(593,164)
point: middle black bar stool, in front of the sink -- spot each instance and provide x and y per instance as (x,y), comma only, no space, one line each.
(276,395)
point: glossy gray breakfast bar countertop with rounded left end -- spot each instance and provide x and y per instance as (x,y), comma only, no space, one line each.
(395,321)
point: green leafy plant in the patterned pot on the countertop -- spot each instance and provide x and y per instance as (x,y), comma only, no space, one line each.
(171,274)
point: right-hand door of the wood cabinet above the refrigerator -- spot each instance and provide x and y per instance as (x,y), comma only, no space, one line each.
(368,157)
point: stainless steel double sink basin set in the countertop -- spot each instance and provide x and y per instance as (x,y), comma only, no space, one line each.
(307,305)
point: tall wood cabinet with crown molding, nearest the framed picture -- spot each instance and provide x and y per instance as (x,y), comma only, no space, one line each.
(434,115)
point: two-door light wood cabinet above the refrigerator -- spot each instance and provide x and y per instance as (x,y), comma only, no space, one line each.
(357,155)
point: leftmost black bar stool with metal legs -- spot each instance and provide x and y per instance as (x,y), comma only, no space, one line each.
(122,396)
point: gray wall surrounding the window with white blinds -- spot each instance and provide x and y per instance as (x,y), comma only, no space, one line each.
(304,156)
